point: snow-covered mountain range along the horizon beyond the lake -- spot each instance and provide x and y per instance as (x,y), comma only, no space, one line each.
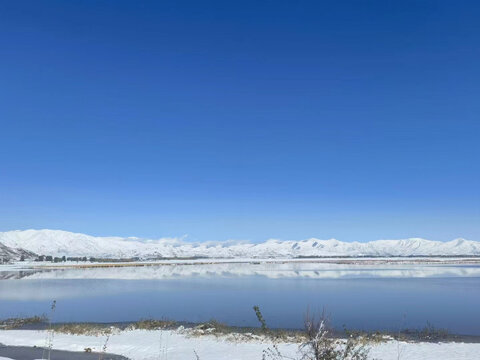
(63,243)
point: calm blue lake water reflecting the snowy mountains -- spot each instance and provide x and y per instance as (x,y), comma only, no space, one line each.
(372,302)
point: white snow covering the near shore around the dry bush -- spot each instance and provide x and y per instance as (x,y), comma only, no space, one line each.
(176,345)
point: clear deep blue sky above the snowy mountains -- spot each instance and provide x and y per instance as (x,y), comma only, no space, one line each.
(357,120)
